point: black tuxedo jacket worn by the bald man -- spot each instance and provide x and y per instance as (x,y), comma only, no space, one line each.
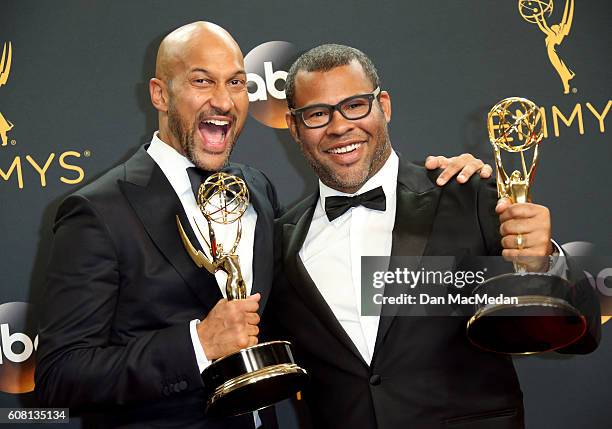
(121,290)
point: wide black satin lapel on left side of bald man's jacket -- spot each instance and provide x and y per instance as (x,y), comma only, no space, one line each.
(156,204)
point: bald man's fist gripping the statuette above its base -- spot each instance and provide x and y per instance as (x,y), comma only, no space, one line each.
(230,326)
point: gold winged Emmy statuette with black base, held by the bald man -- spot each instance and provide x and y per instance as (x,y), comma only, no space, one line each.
(258,376)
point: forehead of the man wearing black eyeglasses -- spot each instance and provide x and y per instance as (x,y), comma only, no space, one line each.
(331,86)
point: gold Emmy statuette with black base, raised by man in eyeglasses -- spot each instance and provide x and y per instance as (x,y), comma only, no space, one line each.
(545,317)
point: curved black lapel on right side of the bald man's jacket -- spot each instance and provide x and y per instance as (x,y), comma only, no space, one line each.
(263,258)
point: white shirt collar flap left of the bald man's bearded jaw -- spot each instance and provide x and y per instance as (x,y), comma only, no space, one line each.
(173,164)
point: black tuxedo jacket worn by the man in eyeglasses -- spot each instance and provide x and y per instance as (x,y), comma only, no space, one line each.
(424,373)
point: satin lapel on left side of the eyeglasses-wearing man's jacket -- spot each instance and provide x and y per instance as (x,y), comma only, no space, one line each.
(297,274)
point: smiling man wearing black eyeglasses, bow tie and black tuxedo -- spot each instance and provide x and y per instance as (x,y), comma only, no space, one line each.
(371,371)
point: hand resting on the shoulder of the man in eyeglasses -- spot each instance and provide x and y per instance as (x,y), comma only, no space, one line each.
(466,165)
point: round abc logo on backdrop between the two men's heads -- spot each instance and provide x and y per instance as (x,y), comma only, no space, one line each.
(266,67)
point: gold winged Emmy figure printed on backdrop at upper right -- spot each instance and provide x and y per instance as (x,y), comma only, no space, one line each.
(536,12)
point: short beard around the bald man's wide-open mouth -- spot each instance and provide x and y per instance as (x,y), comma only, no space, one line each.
(185,134)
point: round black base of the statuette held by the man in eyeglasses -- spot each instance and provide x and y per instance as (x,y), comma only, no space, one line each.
(544,319)
